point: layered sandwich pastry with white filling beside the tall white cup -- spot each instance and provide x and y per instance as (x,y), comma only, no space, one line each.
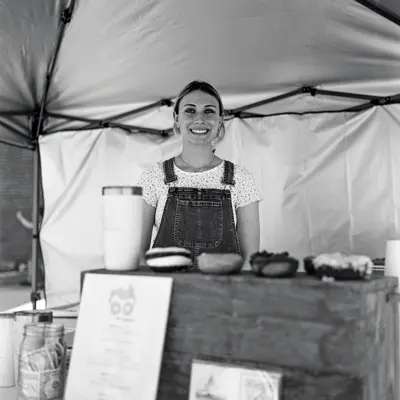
(168,259)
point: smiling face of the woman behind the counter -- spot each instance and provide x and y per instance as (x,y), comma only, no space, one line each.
(198,118)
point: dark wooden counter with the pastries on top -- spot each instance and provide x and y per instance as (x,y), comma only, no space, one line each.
(333,341)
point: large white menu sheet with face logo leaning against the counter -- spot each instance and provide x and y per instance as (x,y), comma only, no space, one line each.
(119,338)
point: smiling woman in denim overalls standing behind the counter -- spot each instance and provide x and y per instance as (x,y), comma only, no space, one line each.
(197,200)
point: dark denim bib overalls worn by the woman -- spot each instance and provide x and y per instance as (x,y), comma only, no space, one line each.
(200,220)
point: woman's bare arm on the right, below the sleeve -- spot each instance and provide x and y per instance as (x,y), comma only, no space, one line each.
(248,229)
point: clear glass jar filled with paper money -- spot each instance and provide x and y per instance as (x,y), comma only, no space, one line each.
(42,362)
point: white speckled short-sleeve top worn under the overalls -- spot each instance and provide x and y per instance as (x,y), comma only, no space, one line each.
(155,191)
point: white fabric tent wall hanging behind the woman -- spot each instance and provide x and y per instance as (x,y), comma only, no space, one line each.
(328,183)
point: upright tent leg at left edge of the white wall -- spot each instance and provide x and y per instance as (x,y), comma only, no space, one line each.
(35,295)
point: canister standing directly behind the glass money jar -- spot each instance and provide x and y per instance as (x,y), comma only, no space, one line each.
(21,318)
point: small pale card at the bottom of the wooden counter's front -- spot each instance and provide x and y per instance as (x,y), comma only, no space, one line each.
(219,381)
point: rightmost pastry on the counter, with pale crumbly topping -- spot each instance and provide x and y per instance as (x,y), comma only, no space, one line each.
(331,266)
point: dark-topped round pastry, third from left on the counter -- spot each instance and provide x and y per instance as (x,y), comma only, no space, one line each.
(274,265)
